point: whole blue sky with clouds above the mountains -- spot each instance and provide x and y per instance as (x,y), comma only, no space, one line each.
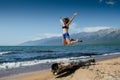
(26,20)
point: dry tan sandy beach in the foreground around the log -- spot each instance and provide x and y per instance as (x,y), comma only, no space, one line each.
(102,70)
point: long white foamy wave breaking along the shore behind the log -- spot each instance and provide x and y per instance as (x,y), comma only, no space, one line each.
(9,65)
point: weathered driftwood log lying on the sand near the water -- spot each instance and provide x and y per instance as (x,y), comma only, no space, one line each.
(60,67)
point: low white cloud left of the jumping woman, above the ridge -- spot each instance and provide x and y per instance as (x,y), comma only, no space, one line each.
(46,35)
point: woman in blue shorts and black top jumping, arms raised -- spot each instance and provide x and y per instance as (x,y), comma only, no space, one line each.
(65,27)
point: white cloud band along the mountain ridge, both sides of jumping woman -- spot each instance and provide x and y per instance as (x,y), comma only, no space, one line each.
(73,29)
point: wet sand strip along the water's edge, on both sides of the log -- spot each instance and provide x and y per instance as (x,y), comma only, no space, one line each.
(39,70)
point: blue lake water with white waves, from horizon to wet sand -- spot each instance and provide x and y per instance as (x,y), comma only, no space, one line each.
(19,56)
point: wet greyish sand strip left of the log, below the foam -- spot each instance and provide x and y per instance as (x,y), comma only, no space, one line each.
(4,74)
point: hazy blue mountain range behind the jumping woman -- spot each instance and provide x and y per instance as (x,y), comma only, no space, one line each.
(104,36)
